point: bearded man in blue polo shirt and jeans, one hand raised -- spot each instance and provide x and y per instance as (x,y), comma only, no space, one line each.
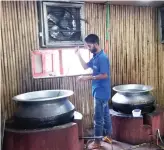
(101,89)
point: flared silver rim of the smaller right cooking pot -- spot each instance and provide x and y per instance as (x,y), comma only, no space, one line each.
(125,90)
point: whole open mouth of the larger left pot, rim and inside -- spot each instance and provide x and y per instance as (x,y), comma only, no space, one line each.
(44,95)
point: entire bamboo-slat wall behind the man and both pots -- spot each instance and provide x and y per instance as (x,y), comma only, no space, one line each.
(135,52)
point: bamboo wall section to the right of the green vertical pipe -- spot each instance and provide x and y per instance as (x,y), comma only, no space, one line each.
(136,53)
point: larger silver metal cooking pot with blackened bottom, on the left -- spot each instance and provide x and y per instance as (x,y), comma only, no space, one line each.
(43,108)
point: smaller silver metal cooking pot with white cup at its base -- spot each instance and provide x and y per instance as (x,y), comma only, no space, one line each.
(133,96)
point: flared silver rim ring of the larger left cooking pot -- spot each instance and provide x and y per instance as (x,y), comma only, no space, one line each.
(21,97)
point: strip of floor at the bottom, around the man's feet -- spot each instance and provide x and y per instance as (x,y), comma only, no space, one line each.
(123,146)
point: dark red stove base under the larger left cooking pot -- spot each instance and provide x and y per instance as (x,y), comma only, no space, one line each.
(63,137)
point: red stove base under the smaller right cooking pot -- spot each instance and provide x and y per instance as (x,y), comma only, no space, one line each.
(138,130)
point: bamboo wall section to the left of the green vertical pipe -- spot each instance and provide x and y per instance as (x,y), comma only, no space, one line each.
(19,37)
